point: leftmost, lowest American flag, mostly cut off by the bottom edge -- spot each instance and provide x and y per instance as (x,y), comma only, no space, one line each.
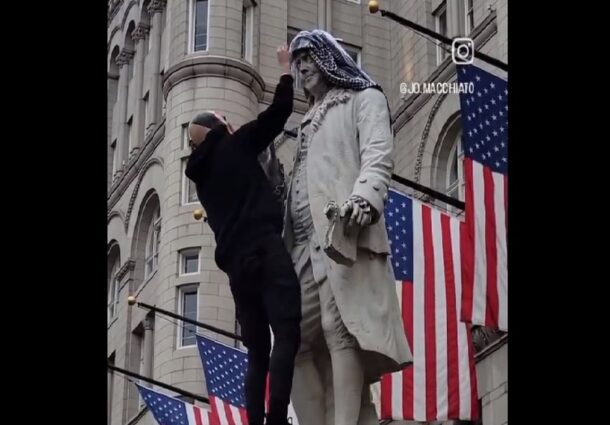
(171,411)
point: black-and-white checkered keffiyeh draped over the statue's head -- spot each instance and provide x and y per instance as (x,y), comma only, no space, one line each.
(332,60)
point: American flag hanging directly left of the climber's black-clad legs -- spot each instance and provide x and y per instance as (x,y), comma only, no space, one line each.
(225,373)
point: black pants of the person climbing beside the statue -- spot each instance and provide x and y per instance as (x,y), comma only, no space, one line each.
(267,293)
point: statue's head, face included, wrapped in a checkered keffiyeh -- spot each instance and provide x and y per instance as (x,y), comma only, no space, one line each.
(318,59)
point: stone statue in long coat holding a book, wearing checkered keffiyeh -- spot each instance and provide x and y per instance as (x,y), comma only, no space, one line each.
(351,331)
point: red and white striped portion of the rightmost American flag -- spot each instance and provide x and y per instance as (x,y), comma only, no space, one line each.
(485,273)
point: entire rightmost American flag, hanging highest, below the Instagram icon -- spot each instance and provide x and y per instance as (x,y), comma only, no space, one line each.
(485,140)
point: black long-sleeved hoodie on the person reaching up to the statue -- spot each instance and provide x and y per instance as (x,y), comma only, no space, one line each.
(232,186)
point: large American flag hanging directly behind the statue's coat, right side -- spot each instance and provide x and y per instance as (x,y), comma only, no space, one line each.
(441,382)
